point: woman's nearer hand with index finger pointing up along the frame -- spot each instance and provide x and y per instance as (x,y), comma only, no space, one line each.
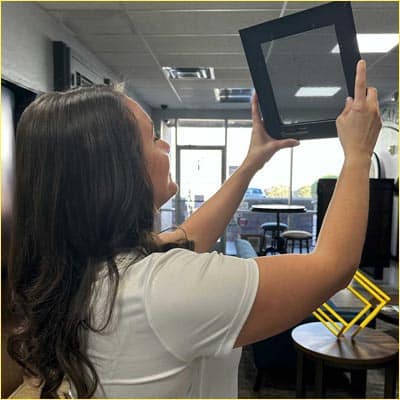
(359,123)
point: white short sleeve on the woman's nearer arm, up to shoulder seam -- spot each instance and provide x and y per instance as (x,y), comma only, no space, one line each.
(197,303)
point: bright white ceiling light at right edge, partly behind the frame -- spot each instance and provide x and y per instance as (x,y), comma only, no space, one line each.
(374,42)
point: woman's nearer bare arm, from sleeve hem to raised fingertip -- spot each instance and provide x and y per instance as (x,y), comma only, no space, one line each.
(292,286)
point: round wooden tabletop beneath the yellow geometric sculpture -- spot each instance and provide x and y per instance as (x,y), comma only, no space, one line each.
(369,346)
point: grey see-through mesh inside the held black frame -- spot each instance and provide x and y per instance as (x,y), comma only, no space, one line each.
(305,60)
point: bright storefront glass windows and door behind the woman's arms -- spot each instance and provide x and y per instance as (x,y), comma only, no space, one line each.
(200,149)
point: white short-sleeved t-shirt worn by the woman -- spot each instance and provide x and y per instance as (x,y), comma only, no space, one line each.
(175,321)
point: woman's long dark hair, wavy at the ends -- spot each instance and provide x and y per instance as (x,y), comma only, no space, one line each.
(82,196)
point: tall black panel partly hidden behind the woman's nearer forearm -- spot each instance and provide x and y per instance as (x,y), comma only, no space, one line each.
(376,251)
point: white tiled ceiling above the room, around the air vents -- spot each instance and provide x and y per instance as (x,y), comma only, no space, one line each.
(135,39)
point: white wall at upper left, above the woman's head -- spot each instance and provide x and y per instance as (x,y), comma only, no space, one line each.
(27,55)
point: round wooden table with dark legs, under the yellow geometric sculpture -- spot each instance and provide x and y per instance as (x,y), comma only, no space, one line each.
(369,349)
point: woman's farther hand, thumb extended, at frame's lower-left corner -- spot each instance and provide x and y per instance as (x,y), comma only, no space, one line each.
(262,145)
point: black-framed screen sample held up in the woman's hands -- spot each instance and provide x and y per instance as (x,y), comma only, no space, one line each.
(295,51)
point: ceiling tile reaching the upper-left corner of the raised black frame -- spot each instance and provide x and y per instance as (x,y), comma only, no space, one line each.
(207,22)
